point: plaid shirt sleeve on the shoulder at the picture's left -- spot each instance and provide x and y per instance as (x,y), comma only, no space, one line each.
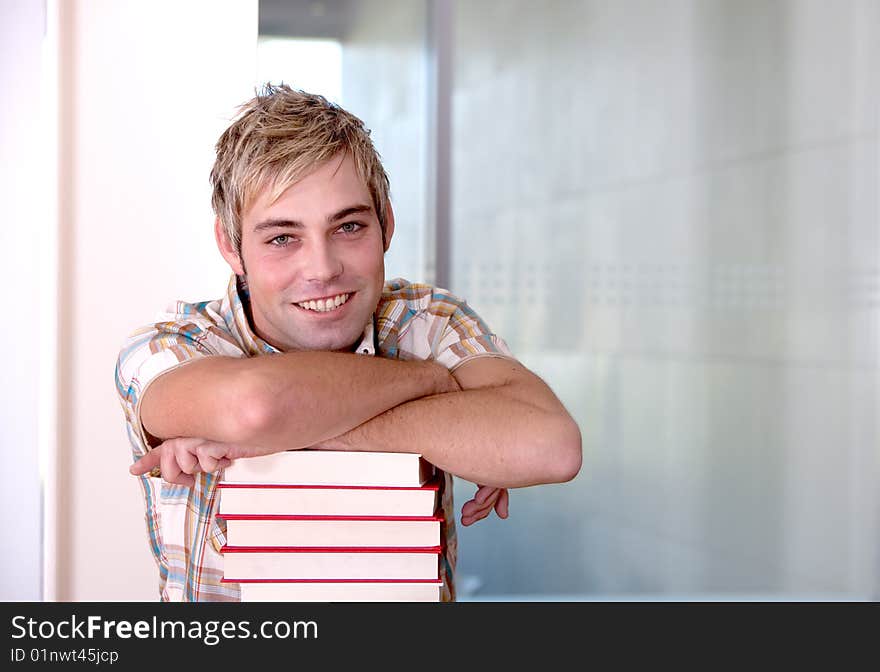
(159,348)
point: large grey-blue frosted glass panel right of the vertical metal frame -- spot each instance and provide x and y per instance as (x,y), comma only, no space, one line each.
(670,212)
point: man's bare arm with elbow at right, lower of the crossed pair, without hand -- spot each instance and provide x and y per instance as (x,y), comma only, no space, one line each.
(505,428)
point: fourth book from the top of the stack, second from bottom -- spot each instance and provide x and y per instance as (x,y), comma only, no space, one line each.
(330,563)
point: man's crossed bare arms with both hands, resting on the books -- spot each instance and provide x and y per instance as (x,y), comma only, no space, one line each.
(491,421)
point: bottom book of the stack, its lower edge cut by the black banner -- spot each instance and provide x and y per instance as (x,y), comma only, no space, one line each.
(336,591)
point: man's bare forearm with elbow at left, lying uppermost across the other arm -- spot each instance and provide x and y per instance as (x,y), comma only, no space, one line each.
(284,401)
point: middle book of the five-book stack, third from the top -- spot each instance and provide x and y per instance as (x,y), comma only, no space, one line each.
(303,531)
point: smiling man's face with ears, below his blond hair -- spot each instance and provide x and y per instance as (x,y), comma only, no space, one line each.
(321,241)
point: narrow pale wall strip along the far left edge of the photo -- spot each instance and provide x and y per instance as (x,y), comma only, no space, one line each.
(22,193)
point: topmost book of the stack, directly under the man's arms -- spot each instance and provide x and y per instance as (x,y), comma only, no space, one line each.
(332,467)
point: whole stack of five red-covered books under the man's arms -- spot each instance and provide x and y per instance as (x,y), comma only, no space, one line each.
(332,526)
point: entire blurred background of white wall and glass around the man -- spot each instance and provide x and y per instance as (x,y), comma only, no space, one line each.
(668,208)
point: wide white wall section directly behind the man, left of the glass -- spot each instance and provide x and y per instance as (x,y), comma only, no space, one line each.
(146,89)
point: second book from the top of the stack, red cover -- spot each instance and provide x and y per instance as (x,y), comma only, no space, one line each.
(327,500)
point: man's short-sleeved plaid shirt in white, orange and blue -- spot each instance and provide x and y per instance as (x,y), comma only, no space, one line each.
(412,321)
